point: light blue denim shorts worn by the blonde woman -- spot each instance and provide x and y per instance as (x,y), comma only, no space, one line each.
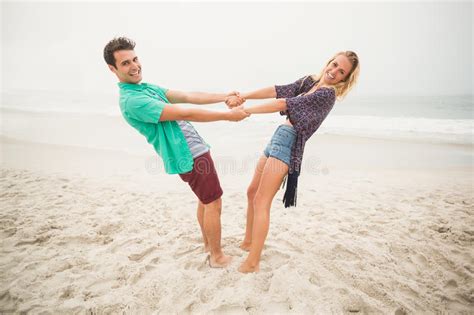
(281,143)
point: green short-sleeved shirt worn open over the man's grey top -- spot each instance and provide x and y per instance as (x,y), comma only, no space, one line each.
(141,106)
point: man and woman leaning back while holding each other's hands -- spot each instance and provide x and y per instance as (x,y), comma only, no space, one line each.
(305,103)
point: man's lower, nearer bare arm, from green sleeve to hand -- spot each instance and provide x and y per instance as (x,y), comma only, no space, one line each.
(177,112)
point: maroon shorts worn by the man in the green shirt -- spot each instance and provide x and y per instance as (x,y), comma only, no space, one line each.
(203,179)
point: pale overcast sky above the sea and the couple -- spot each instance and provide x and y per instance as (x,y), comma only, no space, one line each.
(405,48)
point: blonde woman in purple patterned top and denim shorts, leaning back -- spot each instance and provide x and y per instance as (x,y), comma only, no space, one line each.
(306,103)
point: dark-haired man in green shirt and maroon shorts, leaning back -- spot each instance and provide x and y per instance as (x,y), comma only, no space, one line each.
(148,109)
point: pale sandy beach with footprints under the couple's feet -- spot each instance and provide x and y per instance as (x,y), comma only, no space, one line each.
(382,226)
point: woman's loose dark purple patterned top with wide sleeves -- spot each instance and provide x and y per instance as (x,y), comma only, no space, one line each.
(306,112)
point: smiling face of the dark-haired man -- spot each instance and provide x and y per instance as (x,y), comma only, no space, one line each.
(129,69)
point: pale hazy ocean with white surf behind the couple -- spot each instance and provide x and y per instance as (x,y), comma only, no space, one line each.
(446,119)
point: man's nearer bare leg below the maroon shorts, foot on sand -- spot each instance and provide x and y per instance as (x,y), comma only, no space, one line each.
(212,230)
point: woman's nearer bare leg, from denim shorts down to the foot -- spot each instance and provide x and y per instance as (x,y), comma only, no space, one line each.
(271,179)
